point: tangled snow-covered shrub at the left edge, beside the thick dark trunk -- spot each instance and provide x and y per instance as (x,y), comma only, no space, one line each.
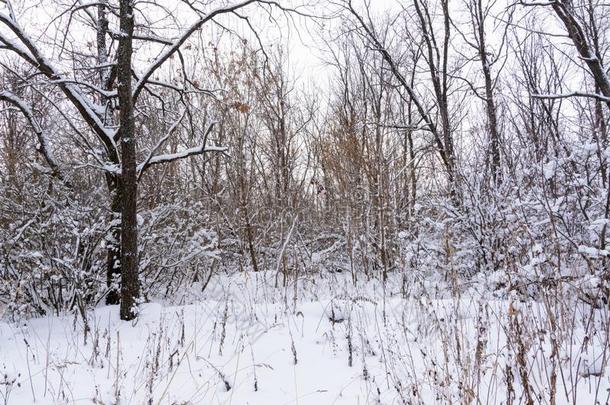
(51,247)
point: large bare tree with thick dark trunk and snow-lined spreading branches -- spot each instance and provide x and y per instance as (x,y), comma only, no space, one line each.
(121,88)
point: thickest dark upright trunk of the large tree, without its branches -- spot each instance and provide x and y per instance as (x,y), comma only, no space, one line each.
(130,285)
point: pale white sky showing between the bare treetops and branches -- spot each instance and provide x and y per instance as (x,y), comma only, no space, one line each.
(303,37)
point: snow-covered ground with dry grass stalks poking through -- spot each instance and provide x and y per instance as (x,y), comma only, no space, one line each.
(245,341)
